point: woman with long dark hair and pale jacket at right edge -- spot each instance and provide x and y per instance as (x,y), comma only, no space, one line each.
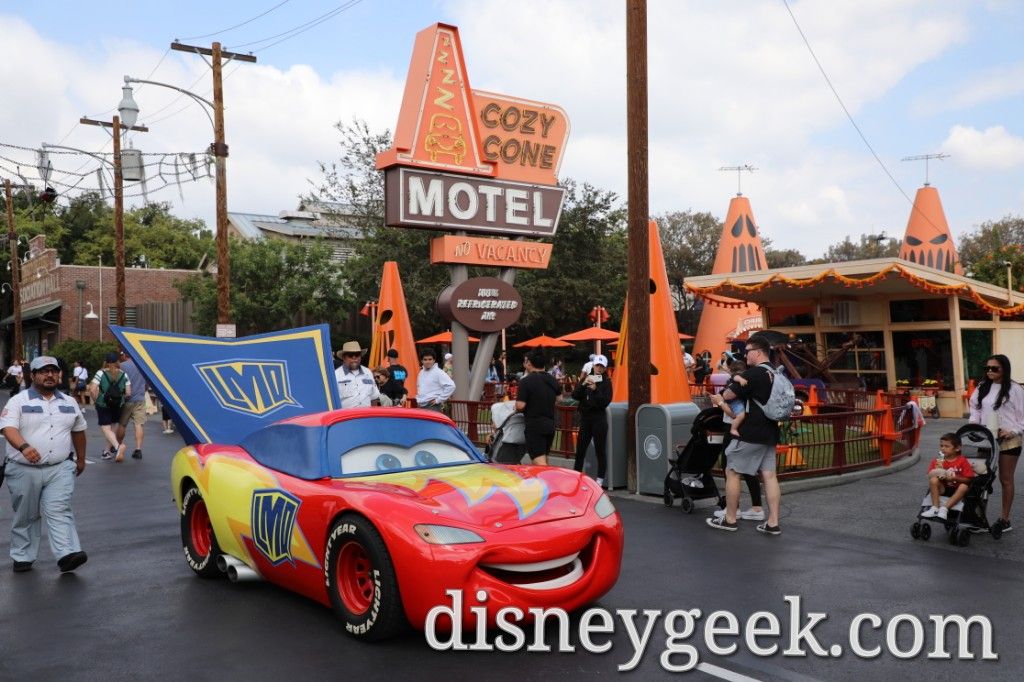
(999,405)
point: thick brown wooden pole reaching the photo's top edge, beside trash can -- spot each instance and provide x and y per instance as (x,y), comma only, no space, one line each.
(638,287)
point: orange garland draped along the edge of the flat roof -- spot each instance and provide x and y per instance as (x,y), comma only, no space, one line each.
(963,290)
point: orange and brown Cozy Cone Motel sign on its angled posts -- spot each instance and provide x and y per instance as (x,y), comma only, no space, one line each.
(472,162)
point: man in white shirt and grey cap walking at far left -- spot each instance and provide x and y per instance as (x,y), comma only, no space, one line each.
(46,433)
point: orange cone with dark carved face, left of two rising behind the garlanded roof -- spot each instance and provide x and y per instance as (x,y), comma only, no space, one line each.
(740,250)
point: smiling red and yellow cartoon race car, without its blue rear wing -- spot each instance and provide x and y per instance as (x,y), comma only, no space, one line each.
(377,513)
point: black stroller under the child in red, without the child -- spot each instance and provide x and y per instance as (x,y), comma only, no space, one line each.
(969,516)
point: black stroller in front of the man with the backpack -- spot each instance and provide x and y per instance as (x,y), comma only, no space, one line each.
(690,477)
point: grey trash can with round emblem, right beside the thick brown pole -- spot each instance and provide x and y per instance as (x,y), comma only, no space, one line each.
(660,430)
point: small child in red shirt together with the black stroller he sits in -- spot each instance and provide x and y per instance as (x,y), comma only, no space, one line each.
(960,483)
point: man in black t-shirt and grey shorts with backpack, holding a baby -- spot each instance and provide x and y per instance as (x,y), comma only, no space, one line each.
(754,451)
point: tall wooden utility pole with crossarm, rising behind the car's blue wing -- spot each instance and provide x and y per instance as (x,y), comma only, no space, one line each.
(220,149)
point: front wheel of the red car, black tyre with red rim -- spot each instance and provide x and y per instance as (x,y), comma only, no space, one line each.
(362,582)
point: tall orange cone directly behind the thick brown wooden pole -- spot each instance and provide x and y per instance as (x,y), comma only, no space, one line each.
(668,380)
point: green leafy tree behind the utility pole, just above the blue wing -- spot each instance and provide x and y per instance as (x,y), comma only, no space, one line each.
(275,285)
